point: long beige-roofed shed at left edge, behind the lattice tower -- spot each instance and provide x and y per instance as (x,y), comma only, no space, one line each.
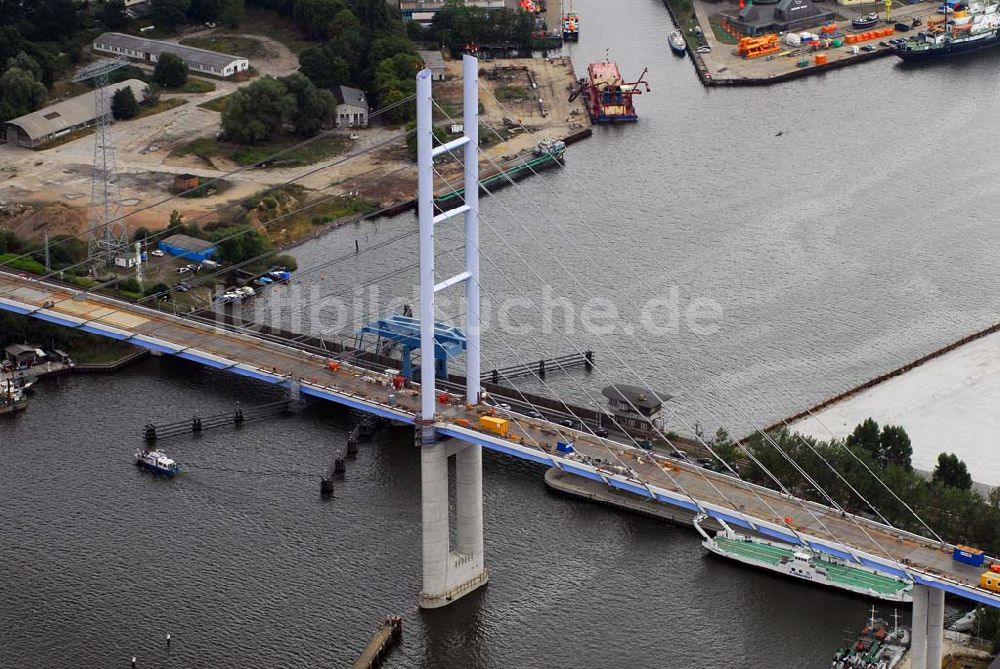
(48,123)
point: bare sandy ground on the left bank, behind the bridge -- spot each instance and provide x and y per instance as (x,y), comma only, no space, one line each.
(57,182)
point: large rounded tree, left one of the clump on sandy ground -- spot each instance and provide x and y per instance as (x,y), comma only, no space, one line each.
(256,113)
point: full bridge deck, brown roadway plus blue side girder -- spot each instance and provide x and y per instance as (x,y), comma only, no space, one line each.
(721,496)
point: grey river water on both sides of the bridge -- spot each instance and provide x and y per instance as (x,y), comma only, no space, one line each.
(860,238)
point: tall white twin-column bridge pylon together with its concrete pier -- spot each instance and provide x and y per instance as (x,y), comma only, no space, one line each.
(449,574)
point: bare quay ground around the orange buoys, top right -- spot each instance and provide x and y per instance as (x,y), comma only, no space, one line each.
(724,65)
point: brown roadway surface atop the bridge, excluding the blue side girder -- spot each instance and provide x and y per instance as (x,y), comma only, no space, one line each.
(248,354)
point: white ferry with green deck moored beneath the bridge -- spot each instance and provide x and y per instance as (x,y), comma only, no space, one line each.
(802,563)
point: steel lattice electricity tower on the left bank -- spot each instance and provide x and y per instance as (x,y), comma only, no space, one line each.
(107,239)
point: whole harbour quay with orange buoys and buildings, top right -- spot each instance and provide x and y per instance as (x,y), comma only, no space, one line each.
(760,43)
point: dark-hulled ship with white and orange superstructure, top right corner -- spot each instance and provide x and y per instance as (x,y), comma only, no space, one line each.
(967,29)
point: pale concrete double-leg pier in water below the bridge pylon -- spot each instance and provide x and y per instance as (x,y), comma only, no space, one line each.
(449,574)
